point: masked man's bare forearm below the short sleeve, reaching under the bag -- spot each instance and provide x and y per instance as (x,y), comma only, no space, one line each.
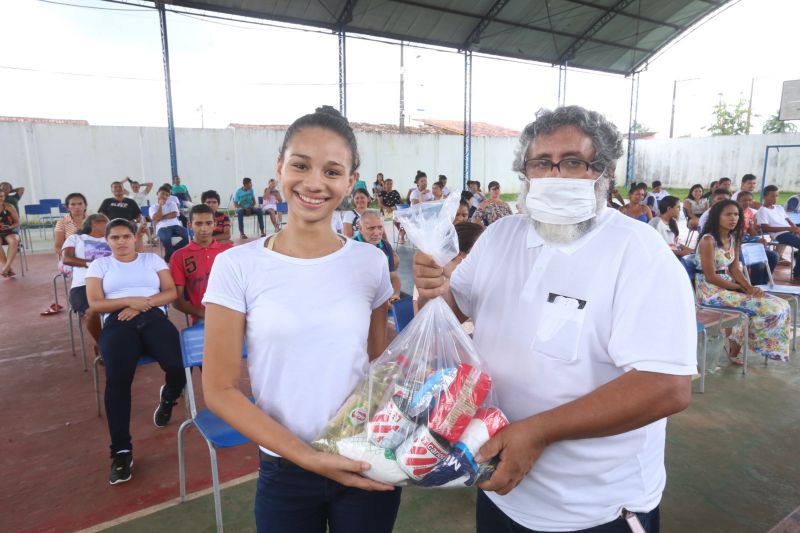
(631,401)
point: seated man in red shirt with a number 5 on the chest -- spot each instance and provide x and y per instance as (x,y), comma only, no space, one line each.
(190,266)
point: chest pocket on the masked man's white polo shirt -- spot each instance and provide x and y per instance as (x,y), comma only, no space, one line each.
(558,332)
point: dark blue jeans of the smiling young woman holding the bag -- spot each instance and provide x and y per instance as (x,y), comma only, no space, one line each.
(292,500)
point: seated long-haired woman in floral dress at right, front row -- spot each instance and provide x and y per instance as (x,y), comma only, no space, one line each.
(723,283)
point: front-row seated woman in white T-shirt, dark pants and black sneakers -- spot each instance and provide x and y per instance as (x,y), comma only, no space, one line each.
(130,288)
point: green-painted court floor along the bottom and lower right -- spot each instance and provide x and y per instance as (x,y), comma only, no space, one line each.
(733,463)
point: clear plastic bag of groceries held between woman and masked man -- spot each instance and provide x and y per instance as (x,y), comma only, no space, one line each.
(426,406)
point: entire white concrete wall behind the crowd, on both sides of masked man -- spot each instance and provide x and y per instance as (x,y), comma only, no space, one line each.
(51,161)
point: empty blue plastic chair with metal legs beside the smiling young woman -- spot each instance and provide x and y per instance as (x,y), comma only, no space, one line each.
(216,432)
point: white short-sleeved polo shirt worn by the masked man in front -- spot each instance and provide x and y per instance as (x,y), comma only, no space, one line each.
(555,323)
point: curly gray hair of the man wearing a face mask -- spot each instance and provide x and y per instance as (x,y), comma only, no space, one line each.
(605,136)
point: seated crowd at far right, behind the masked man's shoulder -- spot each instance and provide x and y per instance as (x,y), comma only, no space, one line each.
(724,221)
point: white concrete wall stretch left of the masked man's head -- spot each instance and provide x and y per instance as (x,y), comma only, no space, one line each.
(51,161)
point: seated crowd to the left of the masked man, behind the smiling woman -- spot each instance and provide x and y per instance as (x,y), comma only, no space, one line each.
(121,291)
